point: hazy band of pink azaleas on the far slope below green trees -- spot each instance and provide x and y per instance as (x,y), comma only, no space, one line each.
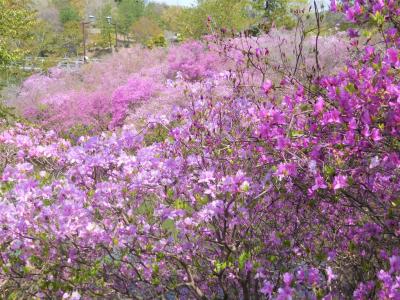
(105,95)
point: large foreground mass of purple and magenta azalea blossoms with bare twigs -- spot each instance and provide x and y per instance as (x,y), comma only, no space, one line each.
(255,188)
